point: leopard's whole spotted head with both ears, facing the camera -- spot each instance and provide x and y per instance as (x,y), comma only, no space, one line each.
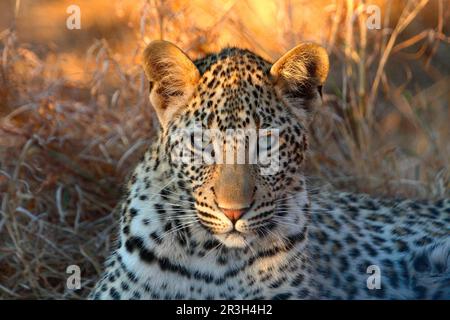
(234,132)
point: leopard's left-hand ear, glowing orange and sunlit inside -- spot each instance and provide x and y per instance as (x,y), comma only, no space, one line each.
(172,76)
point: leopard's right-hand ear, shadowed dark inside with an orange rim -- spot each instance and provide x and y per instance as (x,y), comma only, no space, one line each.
(299,75)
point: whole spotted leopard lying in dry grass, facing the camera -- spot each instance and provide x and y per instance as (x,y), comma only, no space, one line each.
(254,230)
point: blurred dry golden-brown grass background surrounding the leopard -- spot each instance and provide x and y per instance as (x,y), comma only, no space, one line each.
(75,117)
